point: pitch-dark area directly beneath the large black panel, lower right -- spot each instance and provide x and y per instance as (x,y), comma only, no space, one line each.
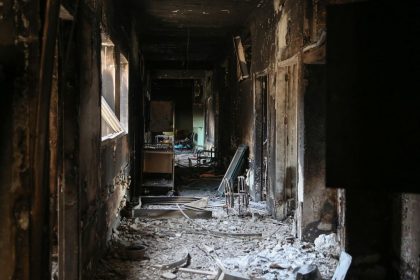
(372,224)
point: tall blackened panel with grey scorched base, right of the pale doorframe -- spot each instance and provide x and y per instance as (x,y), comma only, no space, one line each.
(319,204)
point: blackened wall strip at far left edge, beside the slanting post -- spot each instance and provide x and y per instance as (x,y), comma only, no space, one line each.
(19,61)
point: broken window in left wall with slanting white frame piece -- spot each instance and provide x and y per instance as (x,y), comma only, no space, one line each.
(114,101)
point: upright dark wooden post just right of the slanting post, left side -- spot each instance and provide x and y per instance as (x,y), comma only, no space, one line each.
(69,188)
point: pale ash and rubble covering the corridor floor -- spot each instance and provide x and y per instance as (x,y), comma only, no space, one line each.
(275,255)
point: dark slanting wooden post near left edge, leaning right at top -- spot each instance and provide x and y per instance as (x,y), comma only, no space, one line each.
(39,255)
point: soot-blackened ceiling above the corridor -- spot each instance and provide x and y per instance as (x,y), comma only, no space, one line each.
(189,34)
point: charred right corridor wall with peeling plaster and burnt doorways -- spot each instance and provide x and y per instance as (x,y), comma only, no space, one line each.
(279,30)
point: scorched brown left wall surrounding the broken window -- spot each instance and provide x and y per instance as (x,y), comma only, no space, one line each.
(110,162)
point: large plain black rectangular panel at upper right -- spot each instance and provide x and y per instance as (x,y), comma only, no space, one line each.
(373,126)
